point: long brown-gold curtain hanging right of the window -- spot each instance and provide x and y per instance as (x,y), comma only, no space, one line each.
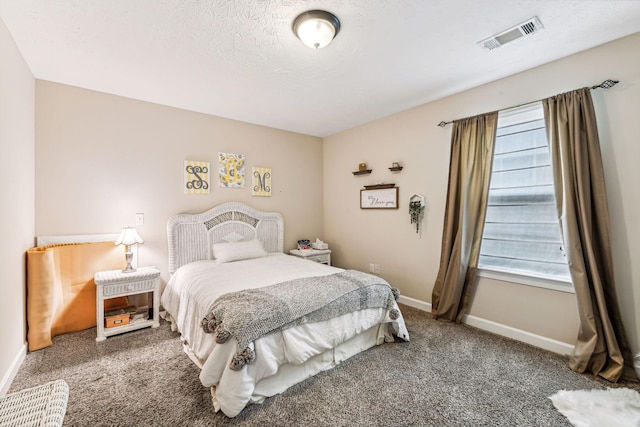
(581,200)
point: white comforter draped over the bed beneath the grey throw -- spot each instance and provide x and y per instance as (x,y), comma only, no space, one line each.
(293,354)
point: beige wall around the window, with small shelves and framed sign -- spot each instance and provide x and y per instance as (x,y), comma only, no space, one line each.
(410,261)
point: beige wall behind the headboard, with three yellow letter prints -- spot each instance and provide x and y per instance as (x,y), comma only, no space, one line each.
(100,159)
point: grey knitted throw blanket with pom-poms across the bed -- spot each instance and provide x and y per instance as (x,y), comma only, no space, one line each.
(250,314)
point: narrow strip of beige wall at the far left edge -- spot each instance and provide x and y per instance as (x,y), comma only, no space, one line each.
(17,98)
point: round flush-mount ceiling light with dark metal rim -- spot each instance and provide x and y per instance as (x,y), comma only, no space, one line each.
(316,28)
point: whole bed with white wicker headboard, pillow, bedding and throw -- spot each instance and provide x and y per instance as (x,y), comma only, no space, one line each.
(219,260)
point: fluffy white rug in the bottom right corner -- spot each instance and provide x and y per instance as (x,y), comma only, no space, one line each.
(619,407)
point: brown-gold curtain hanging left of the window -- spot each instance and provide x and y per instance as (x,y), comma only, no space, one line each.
(472,143)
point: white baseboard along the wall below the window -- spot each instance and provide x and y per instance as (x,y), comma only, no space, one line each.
(500,329)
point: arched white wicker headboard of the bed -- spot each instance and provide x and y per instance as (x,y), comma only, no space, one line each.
(191,236)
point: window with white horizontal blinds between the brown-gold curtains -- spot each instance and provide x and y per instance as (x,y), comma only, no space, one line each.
(522,236)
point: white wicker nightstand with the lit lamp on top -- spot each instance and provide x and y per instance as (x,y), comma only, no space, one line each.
(115,283)
